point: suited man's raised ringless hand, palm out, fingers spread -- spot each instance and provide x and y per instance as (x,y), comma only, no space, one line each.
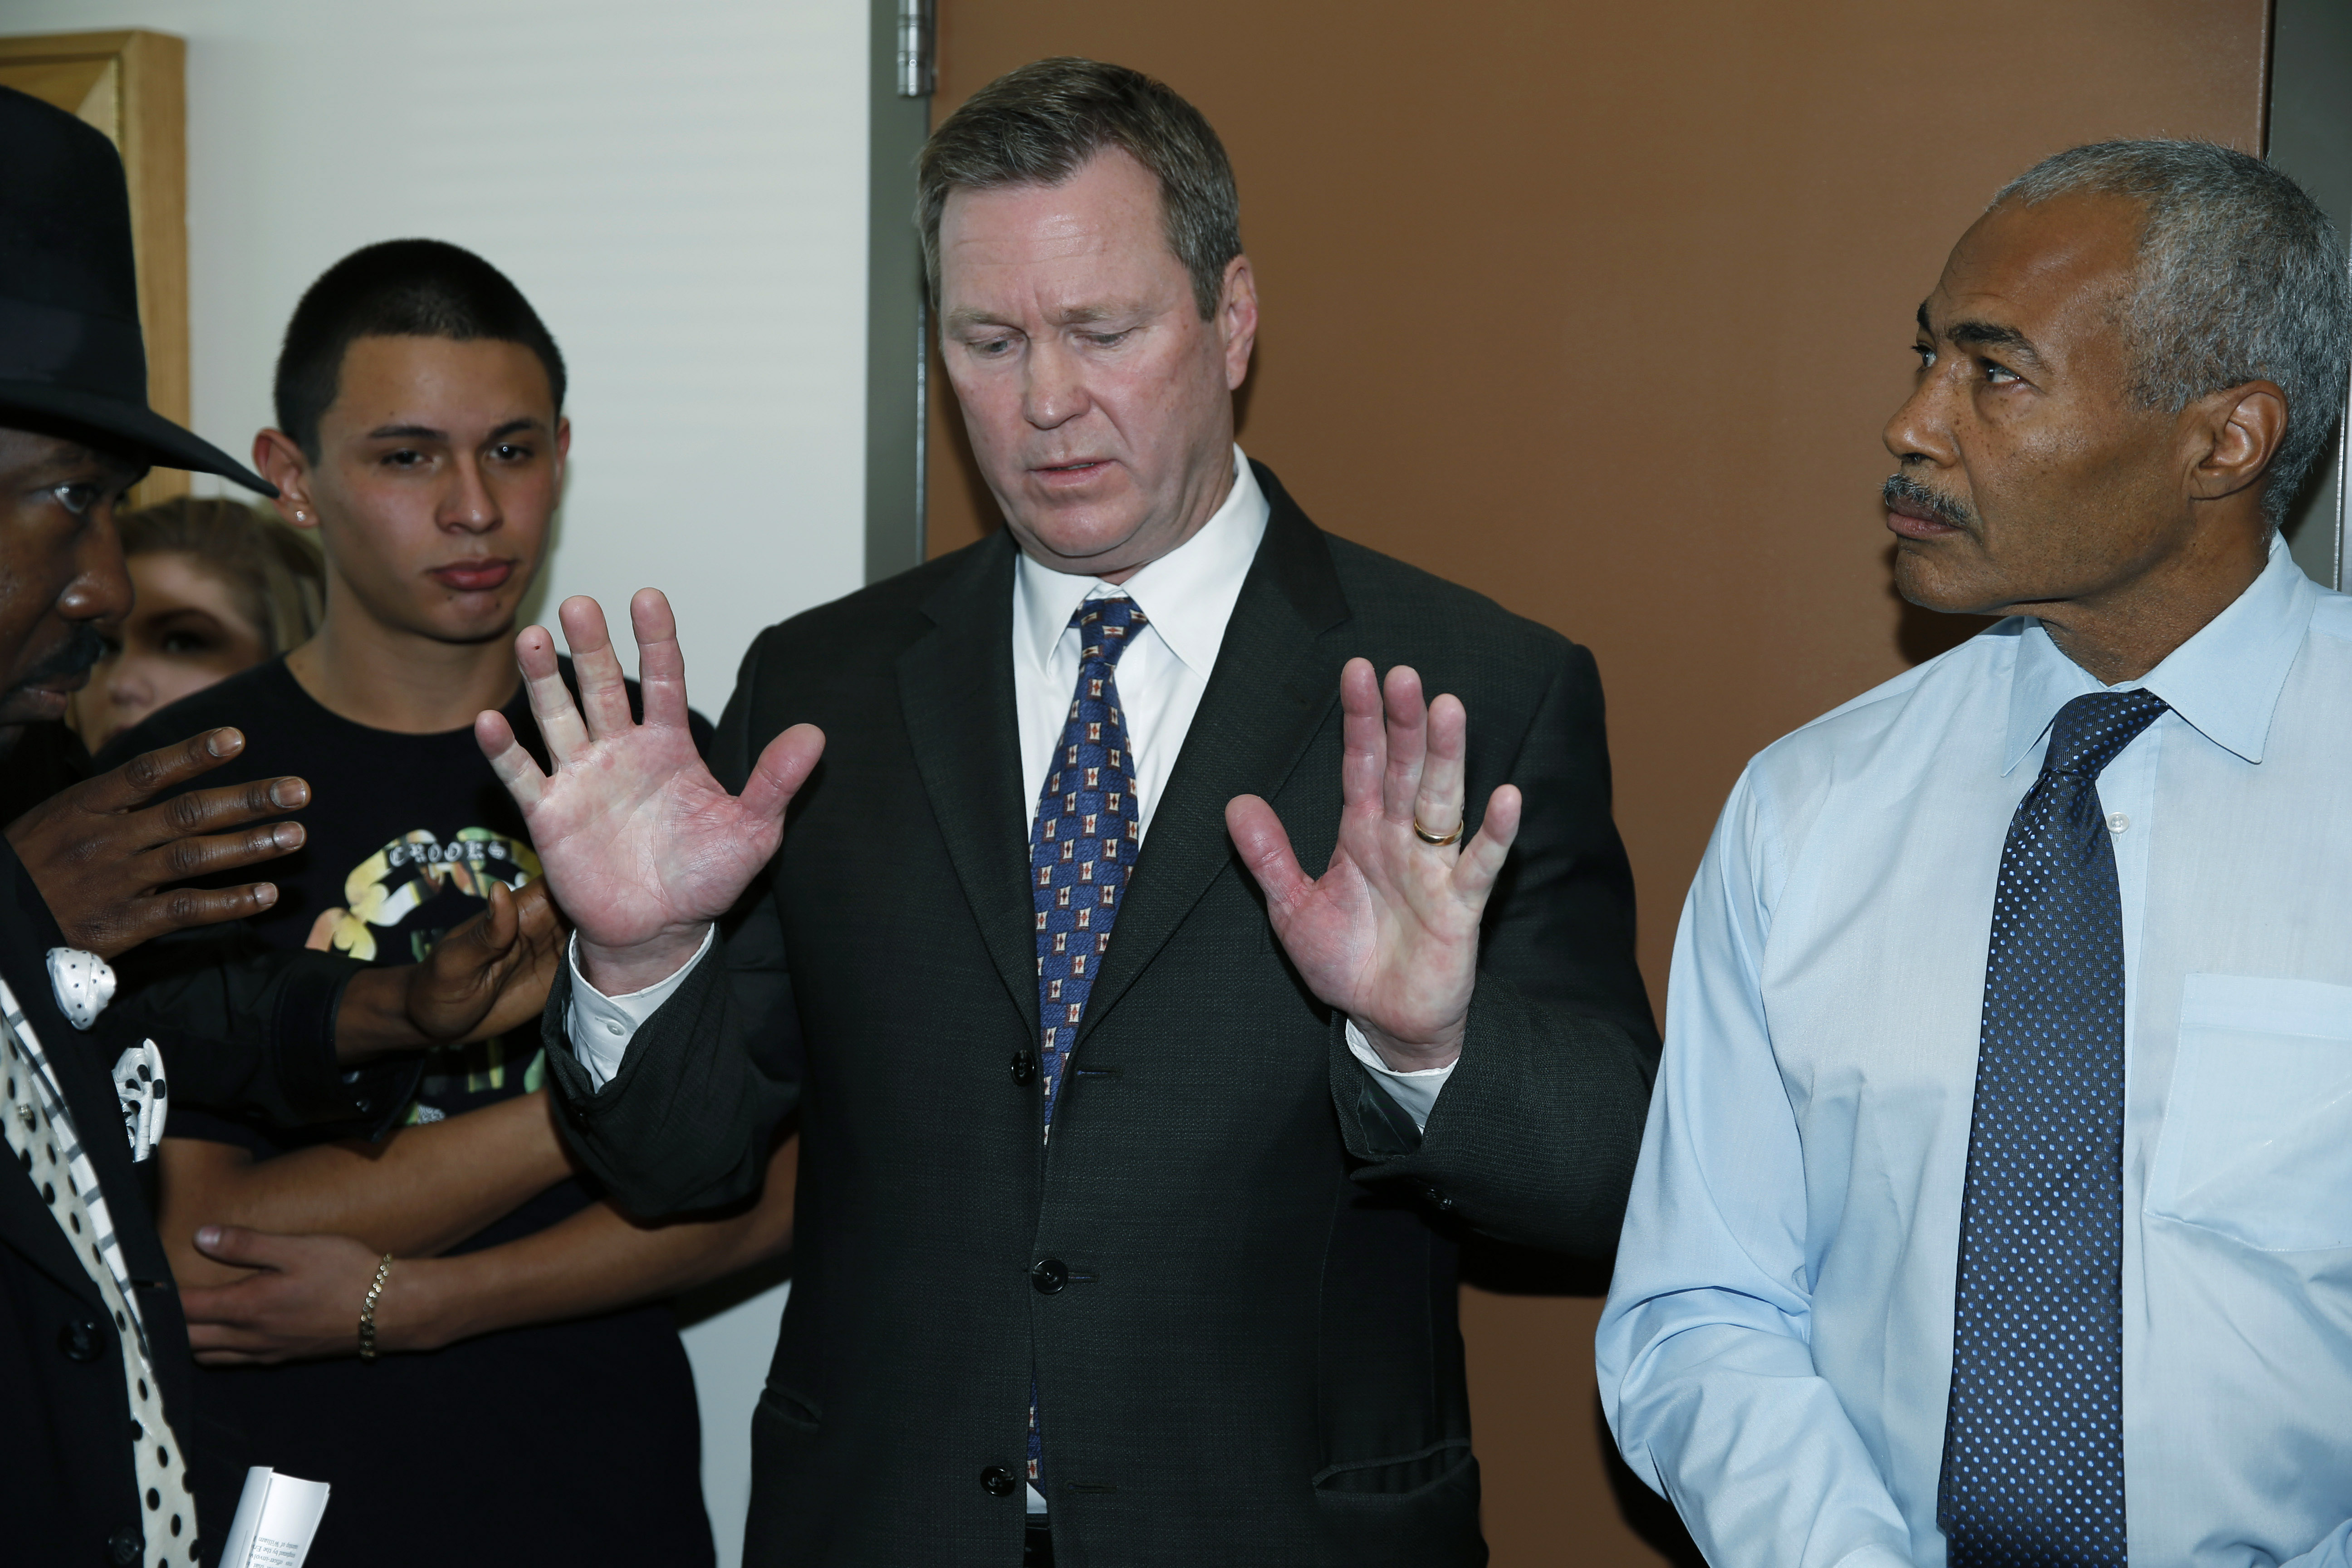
(641,845)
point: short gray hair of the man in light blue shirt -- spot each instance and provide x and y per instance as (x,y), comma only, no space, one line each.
(2243,279)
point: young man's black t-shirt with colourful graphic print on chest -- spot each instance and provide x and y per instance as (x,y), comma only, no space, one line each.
(561,1442)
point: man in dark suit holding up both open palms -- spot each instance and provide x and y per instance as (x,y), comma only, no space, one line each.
(1132,1155)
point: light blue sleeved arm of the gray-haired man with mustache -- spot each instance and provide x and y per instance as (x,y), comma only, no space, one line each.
(1706,1360)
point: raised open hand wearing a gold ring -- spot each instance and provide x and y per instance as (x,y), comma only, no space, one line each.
(1389,932)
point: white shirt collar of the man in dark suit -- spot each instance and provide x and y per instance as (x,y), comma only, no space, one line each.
(1187,594)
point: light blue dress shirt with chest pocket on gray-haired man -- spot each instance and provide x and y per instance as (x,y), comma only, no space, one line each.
(1777,1351)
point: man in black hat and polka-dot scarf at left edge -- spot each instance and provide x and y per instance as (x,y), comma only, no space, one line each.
(93,1346)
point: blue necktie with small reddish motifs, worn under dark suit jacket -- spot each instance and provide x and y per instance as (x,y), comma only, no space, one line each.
(1081,850)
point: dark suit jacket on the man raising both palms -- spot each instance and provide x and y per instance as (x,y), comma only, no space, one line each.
(1255,1355)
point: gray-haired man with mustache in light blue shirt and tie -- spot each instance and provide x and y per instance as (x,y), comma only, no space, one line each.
(2024,1252)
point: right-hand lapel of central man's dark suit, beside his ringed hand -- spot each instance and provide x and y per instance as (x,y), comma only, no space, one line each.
(1274,685)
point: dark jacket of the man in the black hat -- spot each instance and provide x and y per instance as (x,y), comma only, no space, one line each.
(67,1485)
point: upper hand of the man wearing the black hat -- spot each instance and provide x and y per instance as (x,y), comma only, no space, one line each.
(105,857)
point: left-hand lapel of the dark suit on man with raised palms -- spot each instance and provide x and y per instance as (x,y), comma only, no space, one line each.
(956,688)
